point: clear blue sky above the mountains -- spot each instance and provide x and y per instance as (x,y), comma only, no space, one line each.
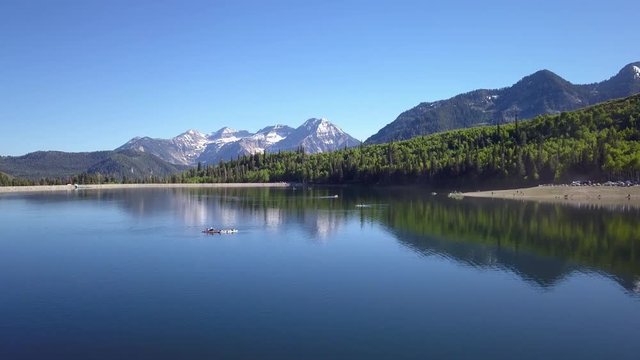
(89,75)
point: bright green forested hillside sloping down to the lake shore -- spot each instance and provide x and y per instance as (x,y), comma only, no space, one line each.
(598,143)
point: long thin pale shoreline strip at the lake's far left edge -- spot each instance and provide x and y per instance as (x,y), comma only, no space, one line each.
(51,188)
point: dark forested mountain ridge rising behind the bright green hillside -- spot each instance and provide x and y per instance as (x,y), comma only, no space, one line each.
(540,93)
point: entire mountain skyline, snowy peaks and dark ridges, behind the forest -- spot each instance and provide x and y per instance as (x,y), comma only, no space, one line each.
(540,93)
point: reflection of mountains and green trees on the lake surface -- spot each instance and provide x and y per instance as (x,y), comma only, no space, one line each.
(541,243)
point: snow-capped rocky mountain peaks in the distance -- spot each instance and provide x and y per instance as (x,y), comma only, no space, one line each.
(191,147)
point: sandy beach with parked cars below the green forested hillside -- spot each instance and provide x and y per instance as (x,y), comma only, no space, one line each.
(567,194)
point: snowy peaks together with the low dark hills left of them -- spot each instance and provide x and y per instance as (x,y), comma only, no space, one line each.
(143,157)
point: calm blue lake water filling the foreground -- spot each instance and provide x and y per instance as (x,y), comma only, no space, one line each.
(371,274)
